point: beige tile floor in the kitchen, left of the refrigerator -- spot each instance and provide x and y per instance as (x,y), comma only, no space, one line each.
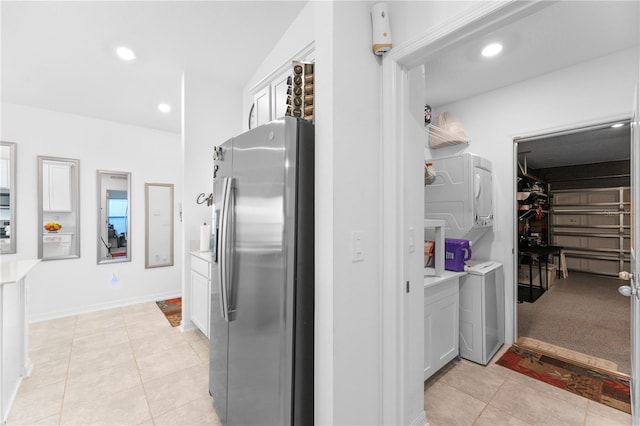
(124,366)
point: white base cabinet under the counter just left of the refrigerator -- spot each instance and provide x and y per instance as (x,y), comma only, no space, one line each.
(201,291)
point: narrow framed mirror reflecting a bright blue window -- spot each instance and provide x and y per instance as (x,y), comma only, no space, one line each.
(114,213)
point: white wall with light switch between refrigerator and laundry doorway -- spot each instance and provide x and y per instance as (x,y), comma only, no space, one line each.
(347,75)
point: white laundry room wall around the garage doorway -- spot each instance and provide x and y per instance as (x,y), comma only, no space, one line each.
(587,93)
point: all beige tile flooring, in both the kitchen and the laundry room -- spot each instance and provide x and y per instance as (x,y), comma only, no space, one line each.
(128,366)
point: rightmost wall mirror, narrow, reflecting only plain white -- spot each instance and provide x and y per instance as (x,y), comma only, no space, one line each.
(159,224)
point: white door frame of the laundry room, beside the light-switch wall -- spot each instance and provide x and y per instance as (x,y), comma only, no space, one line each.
(396,343)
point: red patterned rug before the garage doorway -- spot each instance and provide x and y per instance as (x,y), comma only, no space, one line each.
(607,388)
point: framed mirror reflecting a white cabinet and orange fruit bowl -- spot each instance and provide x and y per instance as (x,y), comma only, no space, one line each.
(58,208)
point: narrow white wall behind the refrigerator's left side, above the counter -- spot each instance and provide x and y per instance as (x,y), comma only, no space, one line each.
(211,115)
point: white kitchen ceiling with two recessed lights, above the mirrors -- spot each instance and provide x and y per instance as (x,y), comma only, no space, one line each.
(60,55)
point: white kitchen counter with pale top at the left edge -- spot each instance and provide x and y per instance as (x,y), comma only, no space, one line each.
(15,362)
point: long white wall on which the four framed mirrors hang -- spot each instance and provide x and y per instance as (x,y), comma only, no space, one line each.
(64,287)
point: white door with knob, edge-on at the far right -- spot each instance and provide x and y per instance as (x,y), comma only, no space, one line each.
(632,289)
